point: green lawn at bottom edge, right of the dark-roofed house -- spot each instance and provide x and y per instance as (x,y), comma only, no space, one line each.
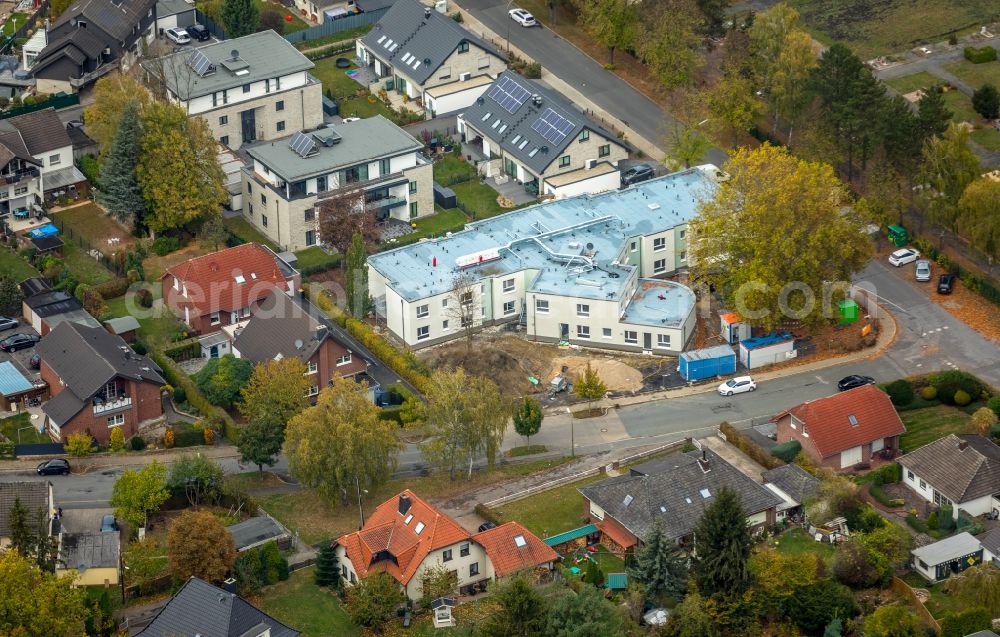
(301,604)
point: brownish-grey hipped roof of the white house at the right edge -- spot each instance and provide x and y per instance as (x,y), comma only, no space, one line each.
(962,467)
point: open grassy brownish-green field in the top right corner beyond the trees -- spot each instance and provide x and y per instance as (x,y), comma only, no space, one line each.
(889,26)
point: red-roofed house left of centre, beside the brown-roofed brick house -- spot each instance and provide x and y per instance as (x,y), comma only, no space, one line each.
(221,288)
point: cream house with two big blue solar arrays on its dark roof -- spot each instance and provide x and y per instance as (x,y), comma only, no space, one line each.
(537,137)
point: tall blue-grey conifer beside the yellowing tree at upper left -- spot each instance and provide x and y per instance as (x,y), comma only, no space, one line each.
(121,193)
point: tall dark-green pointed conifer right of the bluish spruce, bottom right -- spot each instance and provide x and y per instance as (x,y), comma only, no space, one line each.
(723,545)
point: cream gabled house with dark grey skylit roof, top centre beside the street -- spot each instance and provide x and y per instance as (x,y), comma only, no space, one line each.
(427,56)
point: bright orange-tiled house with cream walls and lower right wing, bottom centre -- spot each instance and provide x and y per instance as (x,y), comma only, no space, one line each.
(405,536)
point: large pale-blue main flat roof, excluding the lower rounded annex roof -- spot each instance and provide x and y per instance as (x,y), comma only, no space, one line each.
(551,236)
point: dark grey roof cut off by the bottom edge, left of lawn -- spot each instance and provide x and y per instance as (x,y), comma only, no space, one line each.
(199,608)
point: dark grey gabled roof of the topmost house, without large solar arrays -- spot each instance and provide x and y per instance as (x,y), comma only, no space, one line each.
(430,39)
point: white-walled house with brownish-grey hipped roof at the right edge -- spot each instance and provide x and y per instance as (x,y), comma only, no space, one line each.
(963,470)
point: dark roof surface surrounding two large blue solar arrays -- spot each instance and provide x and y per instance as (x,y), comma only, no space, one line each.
(538,152)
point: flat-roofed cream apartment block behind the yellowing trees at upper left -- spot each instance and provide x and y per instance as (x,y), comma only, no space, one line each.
(257,87)
